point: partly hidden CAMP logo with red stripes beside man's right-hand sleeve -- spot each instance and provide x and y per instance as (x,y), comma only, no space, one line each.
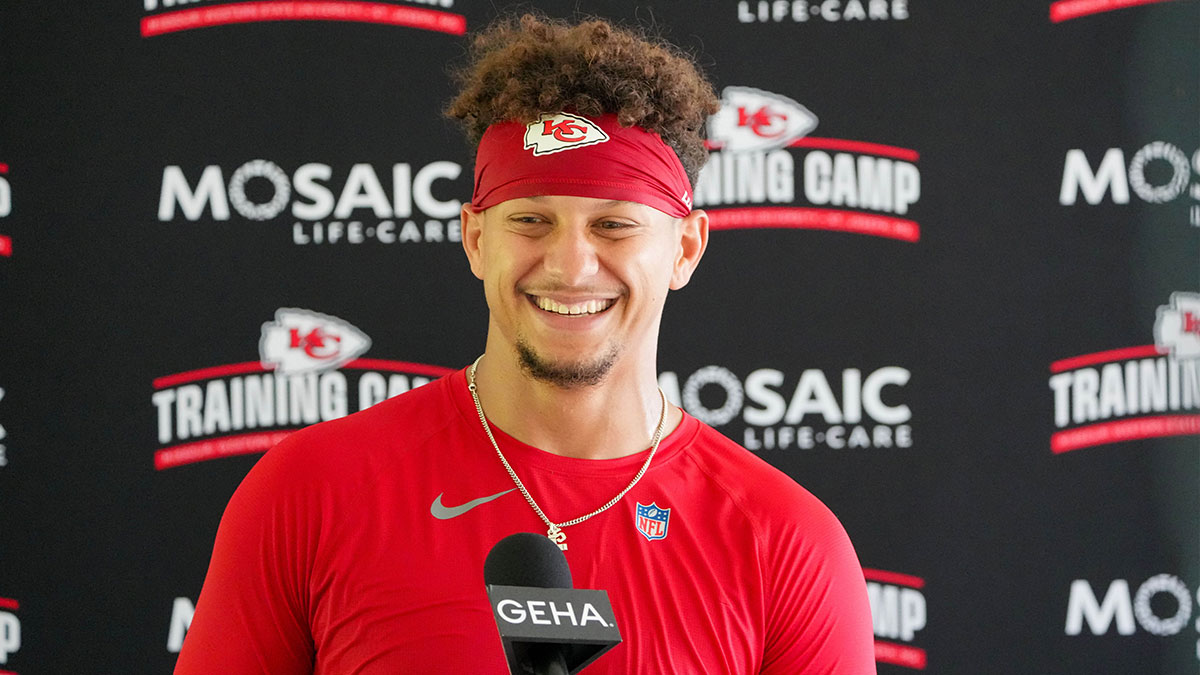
(898,613)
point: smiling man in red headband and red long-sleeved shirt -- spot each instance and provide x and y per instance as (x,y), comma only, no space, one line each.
(358,546)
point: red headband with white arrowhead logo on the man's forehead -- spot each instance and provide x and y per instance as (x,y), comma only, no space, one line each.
(578,157)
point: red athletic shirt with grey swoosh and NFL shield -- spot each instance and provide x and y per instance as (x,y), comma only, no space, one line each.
(329,558)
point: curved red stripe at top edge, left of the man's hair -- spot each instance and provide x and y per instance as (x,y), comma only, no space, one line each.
(304,10)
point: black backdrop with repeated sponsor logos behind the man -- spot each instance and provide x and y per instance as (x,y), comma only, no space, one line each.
(953,289)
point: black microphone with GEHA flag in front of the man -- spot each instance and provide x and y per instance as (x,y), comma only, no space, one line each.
(548,626)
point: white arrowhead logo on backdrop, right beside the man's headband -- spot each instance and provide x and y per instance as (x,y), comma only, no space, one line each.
(752,120)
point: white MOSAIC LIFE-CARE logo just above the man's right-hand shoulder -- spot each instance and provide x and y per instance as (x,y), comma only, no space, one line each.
(779,411)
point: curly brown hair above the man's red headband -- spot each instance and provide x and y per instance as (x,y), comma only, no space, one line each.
(521,68)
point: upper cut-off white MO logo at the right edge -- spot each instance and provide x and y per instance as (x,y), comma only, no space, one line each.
(1168,164)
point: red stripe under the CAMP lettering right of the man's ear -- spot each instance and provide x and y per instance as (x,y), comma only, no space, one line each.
(806,218)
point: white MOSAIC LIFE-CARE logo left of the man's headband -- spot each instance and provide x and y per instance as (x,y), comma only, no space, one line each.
(363,212)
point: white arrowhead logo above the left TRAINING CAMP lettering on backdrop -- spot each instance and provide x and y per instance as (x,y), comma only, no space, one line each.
(304,342)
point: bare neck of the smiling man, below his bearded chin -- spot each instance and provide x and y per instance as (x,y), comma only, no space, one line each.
(614,419)
